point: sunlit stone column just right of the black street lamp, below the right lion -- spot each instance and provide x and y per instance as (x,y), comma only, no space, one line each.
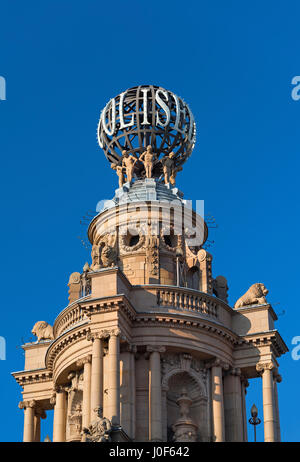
(268,400)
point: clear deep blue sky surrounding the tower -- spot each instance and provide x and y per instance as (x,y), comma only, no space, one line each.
(233,63)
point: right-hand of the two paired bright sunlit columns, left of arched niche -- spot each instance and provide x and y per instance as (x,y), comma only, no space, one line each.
(114,376)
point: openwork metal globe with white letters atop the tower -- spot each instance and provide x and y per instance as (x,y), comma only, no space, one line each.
(147,115)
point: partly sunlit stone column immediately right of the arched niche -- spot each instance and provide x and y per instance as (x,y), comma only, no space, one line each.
(217,401)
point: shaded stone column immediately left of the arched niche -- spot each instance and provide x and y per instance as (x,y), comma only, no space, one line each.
(155,393)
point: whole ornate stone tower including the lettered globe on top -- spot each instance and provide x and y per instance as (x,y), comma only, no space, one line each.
(148,348)
